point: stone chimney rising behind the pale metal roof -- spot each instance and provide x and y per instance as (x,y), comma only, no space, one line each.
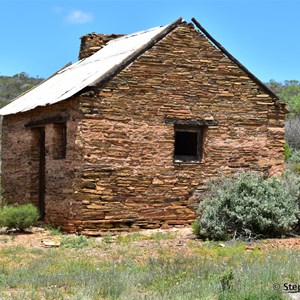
(92,42)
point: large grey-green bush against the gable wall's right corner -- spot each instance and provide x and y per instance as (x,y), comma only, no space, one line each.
(246,204)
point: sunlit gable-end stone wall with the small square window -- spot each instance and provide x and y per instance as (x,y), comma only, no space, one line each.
(130,179)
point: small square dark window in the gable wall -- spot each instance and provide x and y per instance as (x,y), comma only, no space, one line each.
(188,143)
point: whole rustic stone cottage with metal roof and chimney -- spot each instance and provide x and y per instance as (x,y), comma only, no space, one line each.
(127,137)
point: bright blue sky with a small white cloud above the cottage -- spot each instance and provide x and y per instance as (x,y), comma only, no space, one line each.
(41,36)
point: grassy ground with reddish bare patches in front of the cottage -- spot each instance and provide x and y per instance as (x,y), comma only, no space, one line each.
(144,265)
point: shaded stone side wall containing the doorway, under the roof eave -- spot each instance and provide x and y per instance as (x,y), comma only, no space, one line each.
(20,163)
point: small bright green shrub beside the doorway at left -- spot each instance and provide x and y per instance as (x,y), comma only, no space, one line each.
(19,217)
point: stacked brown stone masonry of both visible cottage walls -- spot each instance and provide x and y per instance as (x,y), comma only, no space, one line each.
(119,172)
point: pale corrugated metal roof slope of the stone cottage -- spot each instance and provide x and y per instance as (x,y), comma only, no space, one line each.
(72,79)
